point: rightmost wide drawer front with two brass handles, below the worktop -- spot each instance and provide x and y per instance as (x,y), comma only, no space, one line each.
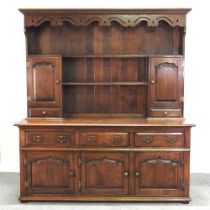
(159,139)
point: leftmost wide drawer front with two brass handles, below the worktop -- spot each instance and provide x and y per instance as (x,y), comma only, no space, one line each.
(49,138)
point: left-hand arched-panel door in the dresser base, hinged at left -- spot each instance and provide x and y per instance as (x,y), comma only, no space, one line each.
(49,172)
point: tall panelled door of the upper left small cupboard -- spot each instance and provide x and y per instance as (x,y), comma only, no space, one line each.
(44,81)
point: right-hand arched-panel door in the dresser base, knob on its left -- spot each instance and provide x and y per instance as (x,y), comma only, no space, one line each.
(159,174)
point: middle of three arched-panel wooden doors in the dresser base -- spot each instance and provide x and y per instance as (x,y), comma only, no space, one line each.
(104,173)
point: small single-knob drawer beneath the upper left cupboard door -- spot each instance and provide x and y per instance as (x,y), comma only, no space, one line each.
(44,112)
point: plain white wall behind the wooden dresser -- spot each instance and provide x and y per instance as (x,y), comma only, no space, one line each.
(13,73)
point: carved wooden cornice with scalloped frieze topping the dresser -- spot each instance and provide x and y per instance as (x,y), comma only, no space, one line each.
(104,17)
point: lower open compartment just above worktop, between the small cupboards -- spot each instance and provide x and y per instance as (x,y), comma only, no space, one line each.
(99,100)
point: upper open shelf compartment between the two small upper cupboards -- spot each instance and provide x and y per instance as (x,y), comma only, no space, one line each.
(105,71)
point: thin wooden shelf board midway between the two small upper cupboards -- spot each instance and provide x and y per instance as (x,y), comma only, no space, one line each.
(104,83)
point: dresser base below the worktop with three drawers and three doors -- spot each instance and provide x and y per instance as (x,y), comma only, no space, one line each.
(105,164)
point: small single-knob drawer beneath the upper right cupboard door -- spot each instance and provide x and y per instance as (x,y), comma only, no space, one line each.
(165,113)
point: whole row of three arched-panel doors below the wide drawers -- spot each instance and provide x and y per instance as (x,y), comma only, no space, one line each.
(143,174)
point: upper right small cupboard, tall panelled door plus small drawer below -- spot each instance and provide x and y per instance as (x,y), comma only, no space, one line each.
(165,87)
